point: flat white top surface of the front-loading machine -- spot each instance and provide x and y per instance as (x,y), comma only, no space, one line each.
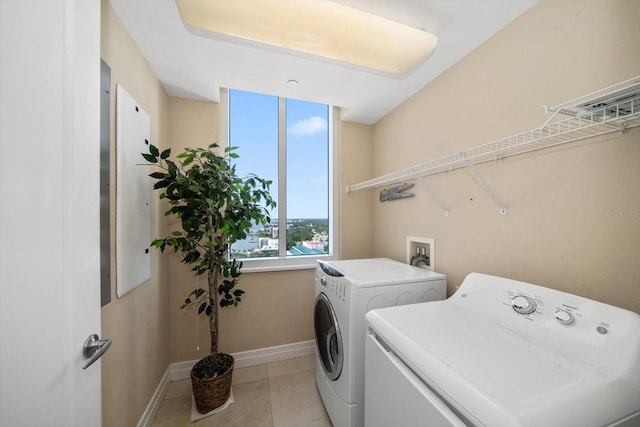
(382,271)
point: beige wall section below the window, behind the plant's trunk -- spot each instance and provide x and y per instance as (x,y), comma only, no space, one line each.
(277,309)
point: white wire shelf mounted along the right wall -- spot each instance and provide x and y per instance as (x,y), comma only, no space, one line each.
(616,110)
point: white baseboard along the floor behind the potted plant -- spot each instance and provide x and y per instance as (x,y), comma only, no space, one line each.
(243,359)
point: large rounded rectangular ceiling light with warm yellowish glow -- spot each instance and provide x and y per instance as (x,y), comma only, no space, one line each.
(317,27)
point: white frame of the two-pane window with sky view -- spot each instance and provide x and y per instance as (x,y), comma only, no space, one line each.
(282,261)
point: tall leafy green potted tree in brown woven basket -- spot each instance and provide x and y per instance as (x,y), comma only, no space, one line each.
(215,208)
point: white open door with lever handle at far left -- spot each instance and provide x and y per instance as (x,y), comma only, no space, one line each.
(49,219)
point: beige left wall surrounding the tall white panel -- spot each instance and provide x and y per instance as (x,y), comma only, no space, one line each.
(138,322)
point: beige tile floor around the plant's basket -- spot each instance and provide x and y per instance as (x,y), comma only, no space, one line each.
(277,394)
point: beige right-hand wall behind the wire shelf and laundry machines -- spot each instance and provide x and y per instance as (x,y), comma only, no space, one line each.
(557,232)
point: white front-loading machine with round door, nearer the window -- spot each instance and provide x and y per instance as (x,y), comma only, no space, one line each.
(345,292)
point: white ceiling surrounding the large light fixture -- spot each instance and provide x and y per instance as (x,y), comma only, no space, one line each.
(196,66)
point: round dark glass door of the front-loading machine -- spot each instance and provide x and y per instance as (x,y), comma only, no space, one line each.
(328,337)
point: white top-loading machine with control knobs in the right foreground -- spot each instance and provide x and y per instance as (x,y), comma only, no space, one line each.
(503,353)
